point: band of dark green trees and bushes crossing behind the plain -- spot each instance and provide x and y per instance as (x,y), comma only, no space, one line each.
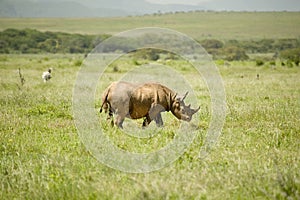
(33,41)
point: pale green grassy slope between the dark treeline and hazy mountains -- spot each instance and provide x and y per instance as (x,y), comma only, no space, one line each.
(199,25)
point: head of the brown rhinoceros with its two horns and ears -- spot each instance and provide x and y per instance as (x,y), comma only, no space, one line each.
(180,110)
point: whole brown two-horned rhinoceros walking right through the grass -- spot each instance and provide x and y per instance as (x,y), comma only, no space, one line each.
(148,100)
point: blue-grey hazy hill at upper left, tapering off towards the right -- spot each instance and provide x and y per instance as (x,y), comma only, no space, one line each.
(88,8)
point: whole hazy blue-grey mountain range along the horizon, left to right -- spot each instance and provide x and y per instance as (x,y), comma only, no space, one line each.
(104,8)
